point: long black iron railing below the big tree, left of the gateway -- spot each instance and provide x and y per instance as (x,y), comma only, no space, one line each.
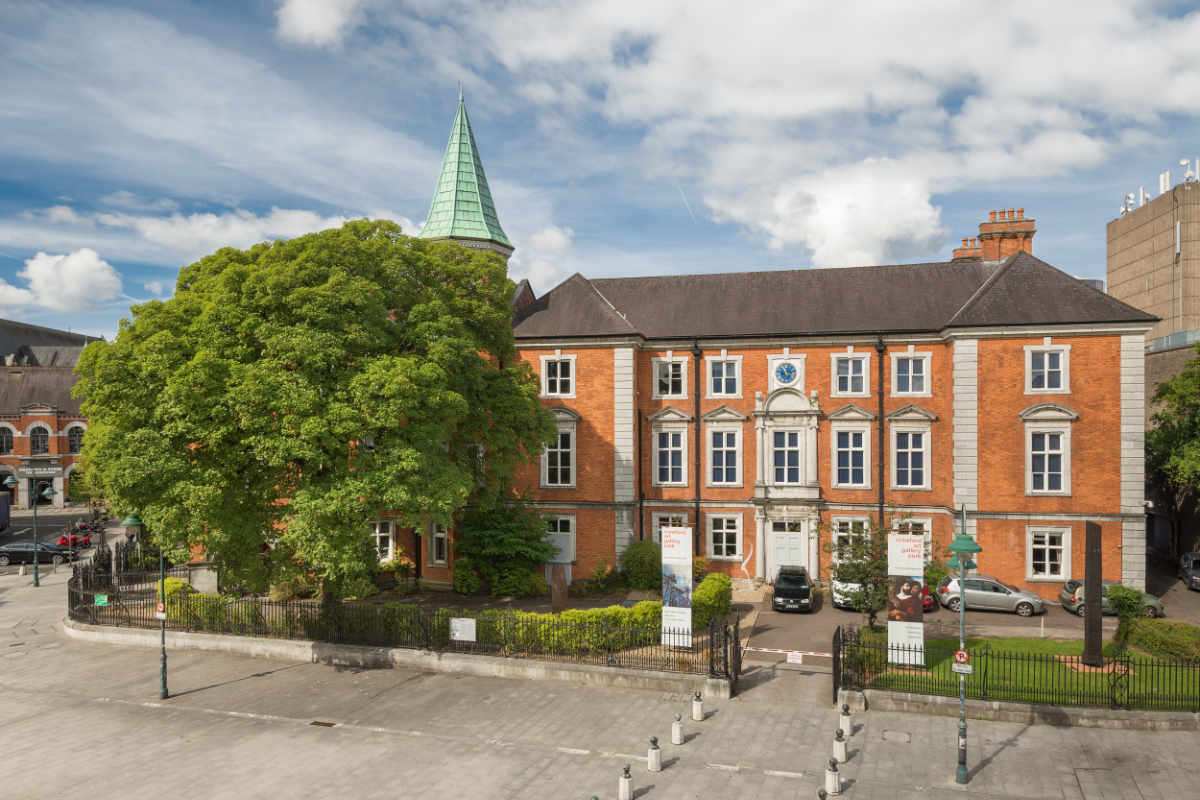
(130,599)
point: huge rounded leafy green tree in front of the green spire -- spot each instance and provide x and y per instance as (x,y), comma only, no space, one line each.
(289,394)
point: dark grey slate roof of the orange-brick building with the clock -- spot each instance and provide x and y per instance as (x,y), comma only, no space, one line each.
(907,298)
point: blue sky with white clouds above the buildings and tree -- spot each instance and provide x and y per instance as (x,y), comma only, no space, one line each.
(620,137)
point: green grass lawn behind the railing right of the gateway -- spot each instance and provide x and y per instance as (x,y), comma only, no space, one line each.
(1035,671)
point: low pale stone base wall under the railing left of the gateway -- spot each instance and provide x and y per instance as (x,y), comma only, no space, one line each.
(363,658)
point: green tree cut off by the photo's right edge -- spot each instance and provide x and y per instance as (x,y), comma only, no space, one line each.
(1173,447)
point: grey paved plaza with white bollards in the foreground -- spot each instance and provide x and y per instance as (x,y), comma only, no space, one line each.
(85,719)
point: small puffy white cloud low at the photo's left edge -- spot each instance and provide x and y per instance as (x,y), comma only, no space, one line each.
(73,282)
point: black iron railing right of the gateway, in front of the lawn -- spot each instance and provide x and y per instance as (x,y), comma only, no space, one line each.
(1125,682)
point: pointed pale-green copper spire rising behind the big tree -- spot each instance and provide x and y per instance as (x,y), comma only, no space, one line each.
(463,203)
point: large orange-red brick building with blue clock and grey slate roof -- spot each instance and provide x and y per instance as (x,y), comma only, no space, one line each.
(776,411)
